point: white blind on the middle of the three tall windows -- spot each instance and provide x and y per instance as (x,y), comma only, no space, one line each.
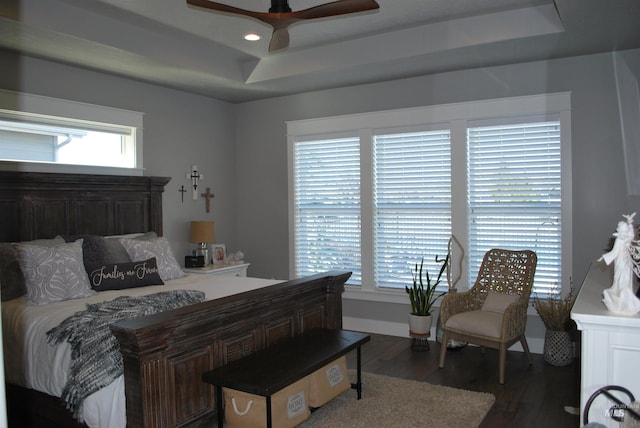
(412,197)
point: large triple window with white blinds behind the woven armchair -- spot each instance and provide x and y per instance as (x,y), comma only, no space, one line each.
(382,190)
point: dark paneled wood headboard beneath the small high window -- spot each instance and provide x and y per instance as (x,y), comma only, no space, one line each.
(43,205)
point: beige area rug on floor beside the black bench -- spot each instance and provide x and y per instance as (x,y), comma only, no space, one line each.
(393,402)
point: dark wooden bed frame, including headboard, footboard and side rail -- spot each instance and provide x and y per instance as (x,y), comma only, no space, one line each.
(165,354)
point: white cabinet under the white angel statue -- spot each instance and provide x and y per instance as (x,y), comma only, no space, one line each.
(610,353)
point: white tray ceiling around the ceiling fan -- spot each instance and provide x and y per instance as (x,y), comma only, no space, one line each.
(170,43)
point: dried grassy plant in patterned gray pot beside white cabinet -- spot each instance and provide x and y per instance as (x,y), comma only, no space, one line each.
(556,315)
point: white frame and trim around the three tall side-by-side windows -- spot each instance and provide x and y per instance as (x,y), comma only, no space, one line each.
(457,116)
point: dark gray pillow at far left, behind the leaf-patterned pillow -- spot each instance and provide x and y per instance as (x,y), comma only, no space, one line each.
(11,278)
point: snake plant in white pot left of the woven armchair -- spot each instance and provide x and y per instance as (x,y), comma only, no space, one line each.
(422,296)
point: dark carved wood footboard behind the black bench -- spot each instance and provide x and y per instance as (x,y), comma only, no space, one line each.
(166,354)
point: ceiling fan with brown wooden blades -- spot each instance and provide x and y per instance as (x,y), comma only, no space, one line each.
(280,16)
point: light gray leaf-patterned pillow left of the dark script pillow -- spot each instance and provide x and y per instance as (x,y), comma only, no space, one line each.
(53,274)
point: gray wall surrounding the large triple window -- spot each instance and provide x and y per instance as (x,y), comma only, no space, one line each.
(599,186)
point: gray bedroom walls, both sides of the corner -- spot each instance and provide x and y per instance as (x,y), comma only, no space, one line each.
(242,148)
